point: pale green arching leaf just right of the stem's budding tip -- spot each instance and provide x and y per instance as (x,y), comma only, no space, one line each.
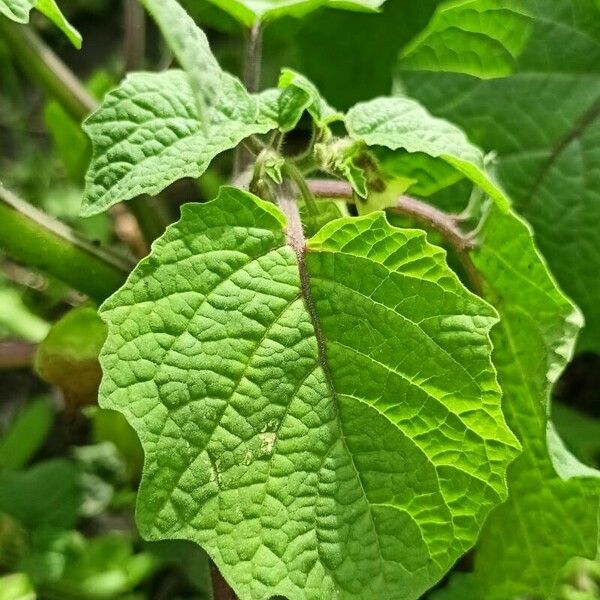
(403,123)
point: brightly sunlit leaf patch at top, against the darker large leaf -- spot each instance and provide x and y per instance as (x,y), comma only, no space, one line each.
(481,38)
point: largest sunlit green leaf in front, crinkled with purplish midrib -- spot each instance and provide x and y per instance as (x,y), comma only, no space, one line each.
(324,419)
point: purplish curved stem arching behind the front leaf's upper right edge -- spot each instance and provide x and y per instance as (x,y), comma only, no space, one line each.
(429,216)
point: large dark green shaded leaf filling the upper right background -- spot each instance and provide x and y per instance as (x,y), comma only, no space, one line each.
(544,124)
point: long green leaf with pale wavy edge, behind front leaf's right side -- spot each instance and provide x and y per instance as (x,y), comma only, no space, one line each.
(547,520)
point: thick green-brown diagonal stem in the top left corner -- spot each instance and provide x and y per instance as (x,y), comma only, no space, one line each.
(47,69)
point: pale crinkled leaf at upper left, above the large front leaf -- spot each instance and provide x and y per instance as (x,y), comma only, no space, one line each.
(147,134)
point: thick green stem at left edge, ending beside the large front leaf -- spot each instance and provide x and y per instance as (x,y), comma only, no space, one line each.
(33,238)
